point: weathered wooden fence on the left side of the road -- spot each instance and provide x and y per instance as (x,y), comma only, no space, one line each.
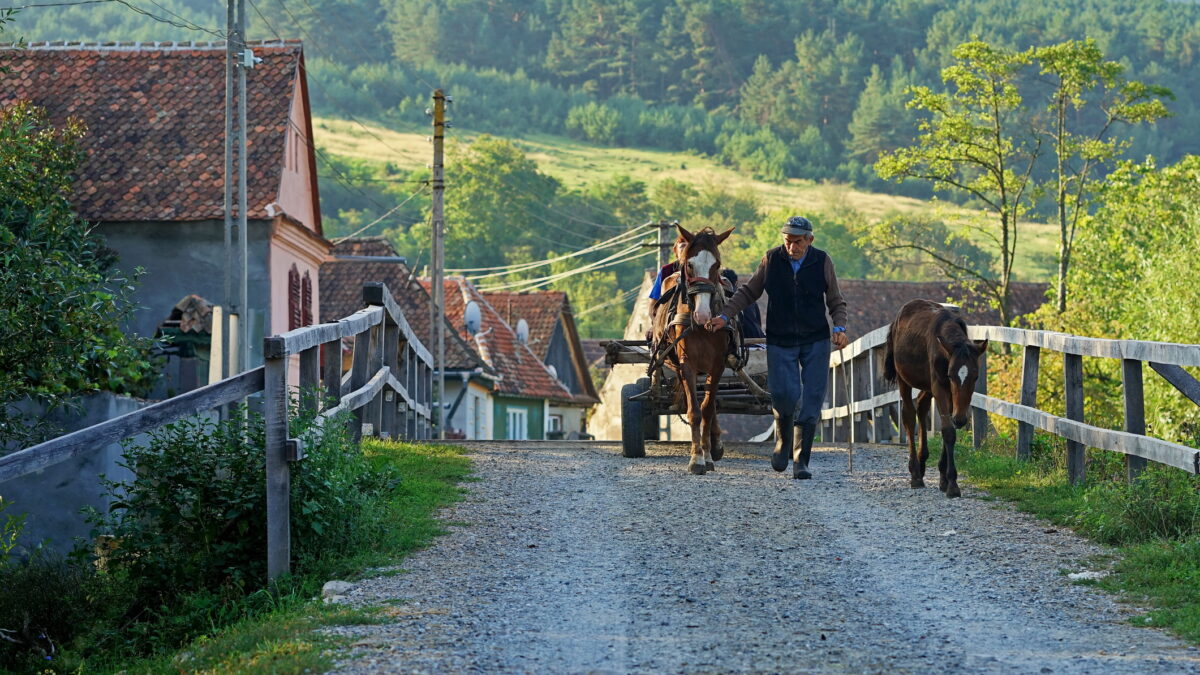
(389,393)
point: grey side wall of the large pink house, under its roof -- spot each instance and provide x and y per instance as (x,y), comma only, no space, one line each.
(189,258)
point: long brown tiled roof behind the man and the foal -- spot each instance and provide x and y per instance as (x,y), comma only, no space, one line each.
(874,304)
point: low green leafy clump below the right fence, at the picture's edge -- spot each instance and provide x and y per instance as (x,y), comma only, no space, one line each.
(1162,504)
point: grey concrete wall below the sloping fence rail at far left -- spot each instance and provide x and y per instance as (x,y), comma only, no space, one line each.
(52,498)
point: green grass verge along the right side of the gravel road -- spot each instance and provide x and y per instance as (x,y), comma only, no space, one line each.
(1154,524)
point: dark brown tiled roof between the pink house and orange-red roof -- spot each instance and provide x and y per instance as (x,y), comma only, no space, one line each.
(341,295)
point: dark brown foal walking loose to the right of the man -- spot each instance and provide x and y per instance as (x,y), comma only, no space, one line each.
(928,350)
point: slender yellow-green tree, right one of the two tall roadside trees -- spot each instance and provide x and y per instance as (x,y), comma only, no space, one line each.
(1083,83)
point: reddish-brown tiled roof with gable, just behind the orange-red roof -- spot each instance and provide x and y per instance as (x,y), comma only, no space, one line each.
(543,310)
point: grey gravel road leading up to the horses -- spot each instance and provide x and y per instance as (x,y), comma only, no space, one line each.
(567,558)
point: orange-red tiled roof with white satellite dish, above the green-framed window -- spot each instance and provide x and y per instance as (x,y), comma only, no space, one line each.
(523,374)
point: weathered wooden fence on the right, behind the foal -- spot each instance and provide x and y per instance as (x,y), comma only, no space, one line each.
(862,408)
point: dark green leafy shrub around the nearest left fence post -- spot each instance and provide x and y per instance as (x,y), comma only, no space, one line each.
(193,519)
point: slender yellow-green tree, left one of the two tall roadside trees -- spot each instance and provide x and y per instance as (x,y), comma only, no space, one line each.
(975,144)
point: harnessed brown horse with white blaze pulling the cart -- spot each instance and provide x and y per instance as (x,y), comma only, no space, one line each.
(698,298)
